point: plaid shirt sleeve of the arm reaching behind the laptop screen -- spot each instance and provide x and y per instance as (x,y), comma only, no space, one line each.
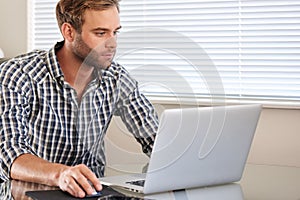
(136,112)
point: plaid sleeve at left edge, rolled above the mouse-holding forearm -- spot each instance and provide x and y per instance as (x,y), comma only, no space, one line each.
(14,111)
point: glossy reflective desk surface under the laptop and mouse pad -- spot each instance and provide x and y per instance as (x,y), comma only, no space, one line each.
(258,182)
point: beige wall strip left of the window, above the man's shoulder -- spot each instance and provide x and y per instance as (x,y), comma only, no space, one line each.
(13,26)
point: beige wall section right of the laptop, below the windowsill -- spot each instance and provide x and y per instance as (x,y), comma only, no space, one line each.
(277,139)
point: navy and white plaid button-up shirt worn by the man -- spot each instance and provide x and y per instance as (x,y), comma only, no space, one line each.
(40,113)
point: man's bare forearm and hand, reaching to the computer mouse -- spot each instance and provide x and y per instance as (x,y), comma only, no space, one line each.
(74,180)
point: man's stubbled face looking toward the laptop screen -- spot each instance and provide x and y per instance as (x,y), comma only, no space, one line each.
(96,44)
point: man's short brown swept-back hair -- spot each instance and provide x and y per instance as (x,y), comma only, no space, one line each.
(72,11)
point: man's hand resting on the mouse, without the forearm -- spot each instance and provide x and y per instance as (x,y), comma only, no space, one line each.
(79,181)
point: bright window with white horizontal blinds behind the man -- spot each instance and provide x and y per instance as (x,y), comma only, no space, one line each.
(208,50)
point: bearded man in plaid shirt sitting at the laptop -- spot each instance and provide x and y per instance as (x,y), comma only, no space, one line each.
(56,106)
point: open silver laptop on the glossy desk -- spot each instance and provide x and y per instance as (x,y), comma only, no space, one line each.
(196,147)
